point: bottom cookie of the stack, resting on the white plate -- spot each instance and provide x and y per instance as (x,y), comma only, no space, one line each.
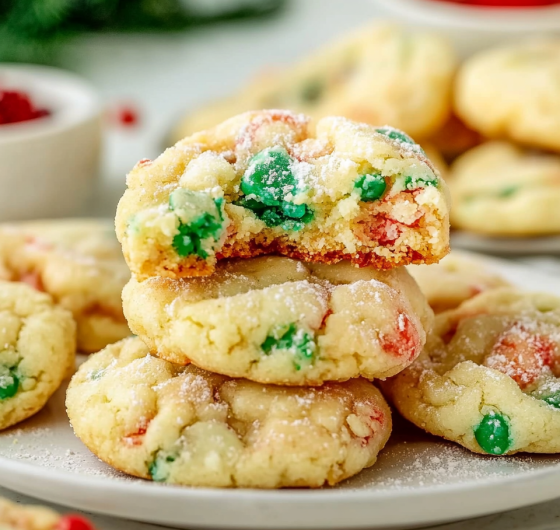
(182,425)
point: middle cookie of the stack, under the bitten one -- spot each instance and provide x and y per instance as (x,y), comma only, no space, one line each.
(278,320)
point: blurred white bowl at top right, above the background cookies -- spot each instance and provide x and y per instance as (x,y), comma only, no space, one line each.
(473,28)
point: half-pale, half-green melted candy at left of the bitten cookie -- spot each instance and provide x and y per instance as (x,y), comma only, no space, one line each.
(201,222)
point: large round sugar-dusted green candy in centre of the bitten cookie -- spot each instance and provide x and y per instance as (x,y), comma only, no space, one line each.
(269,177)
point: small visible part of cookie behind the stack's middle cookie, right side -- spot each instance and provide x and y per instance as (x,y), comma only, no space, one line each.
(456,278)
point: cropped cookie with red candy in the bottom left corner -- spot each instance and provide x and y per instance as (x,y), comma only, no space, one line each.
(18,517)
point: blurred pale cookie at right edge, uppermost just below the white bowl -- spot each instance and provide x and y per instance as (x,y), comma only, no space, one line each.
(513,92)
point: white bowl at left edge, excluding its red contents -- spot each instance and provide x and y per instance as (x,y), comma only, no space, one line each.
(49,166)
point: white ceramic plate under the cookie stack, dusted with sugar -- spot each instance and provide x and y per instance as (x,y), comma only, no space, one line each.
(419,479)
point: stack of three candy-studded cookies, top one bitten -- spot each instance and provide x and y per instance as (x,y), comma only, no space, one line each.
(268,290)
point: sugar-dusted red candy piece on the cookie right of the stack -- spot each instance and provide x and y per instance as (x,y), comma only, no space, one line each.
(522,355)
